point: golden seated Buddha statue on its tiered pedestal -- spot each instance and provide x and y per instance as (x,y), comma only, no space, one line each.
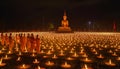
(64,28)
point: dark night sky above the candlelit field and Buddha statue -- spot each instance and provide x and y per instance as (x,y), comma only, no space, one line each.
(38,14)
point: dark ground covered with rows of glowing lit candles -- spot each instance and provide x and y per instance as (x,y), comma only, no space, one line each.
(78,50)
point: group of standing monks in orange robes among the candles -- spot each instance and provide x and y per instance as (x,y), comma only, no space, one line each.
(24,42)
